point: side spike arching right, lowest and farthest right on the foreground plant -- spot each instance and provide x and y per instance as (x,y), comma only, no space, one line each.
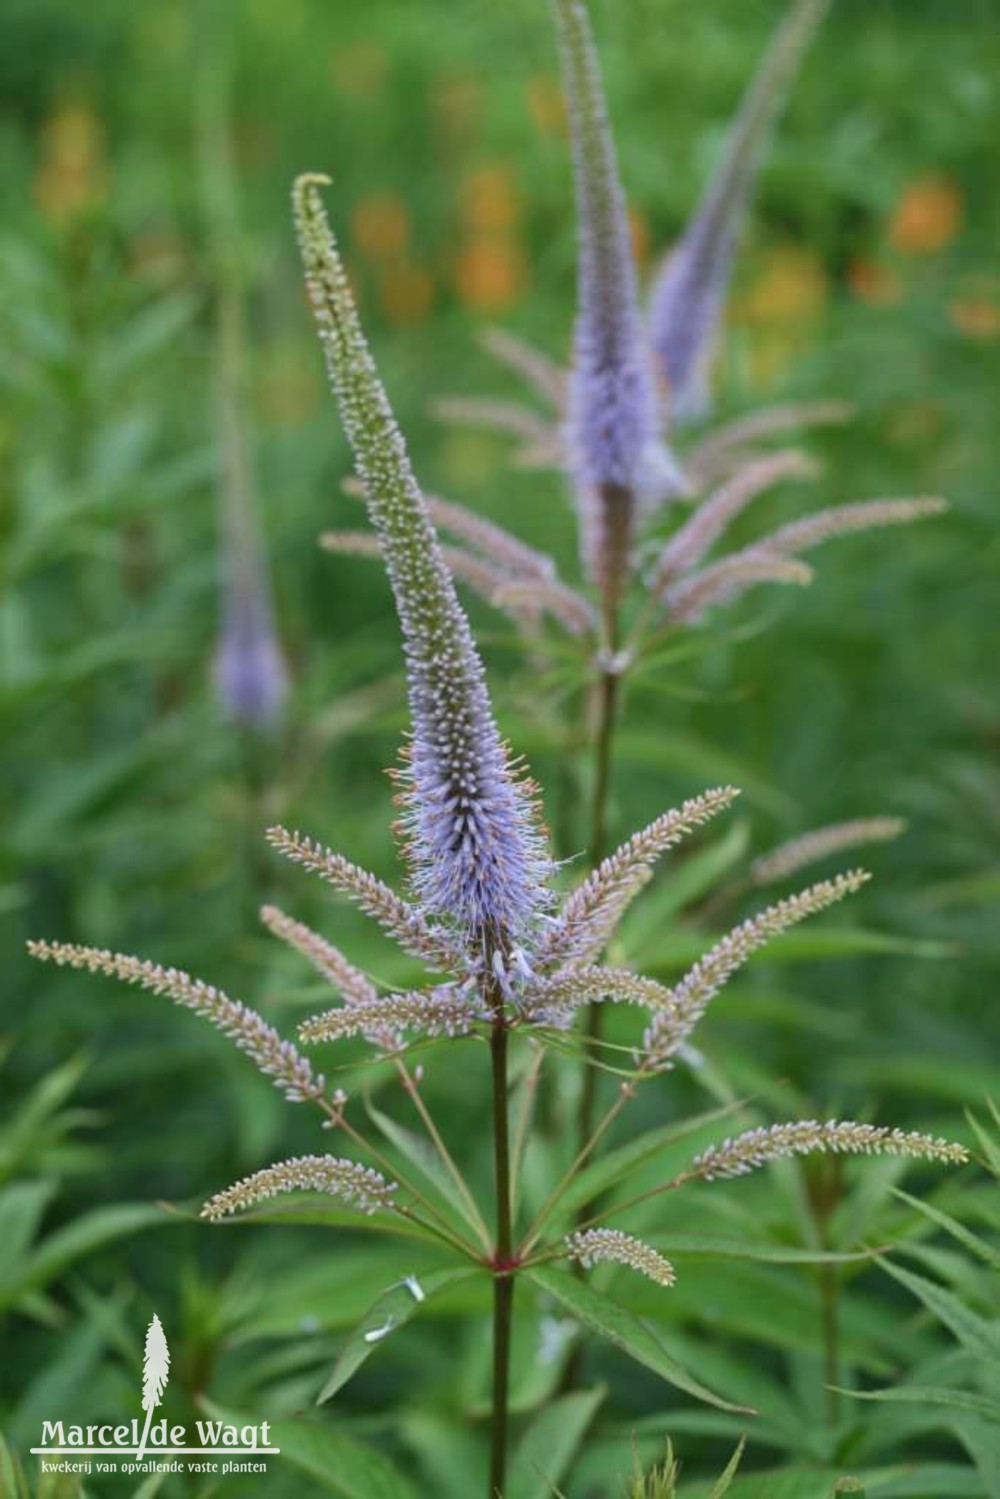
(735,1158)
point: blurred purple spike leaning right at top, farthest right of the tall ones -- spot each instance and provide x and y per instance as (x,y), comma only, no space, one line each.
(690,290)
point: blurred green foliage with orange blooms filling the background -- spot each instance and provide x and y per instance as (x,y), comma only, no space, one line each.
(133,812)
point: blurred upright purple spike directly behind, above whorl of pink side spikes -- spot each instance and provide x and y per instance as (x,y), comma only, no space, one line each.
(614,438)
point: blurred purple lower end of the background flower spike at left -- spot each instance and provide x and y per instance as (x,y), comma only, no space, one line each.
(250,671)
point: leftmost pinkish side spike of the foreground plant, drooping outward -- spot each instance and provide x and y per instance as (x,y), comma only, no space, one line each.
(277,1058)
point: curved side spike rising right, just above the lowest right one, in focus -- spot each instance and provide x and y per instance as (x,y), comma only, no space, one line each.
(674,1023)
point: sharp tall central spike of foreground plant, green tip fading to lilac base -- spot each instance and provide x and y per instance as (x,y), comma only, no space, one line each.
(476,846)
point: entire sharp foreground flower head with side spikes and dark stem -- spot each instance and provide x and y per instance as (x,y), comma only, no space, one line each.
(503,957)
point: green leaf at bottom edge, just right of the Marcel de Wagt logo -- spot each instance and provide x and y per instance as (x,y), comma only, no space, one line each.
(341,1465)
